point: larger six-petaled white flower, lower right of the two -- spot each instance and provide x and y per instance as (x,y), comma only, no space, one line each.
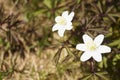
(93,48)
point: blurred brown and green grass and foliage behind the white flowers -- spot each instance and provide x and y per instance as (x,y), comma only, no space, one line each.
(29,50)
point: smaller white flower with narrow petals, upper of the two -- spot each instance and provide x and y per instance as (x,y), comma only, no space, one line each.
(63,23)
